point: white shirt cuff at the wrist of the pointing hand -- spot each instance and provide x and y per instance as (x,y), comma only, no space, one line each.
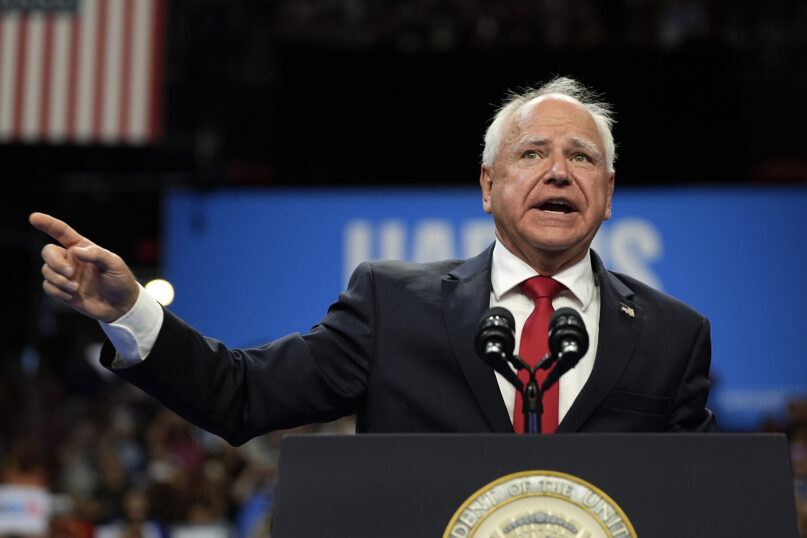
(134,333)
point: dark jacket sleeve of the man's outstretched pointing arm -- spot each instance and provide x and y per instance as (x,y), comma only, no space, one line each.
(240,393)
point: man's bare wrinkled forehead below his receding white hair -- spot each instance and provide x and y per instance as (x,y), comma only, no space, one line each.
(554,115)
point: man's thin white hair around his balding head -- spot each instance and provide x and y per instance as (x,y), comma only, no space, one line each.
(599,110)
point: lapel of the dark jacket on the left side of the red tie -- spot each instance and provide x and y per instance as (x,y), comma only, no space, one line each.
(466,296)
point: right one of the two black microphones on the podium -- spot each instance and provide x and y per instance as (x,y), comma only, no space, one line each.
(568,341)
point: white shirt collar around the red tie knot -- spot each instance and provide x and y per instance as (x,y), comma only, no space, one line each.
(508,271)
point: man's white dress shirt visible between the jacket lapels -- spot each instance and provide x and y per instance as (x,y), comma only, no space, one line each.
(581,293)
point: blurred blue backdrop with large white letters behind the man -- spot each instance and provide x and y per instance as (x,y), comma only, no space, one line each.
(249,266)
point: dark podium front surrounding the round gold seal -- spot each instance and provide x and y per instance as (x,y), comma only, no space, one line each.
(668,485)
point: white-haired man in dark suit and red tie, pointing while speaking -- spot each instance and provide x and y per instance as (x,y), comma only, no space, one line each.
(397,348)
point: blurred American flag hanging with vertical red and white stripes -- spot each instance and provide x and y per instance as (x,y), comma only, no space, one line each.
(81,71)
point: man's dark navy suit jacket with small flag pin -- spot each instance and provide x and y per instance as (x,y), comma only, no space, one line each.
(397,350)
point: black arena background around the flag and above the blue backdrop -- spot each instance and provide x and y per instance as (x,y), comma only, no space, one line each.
(320,93)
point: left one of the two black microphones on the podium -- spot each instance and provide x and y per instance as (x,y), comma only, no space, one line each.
(495,340)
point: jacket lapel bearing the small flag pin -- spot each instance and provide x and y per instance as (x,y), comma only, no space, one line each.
(620,326)
